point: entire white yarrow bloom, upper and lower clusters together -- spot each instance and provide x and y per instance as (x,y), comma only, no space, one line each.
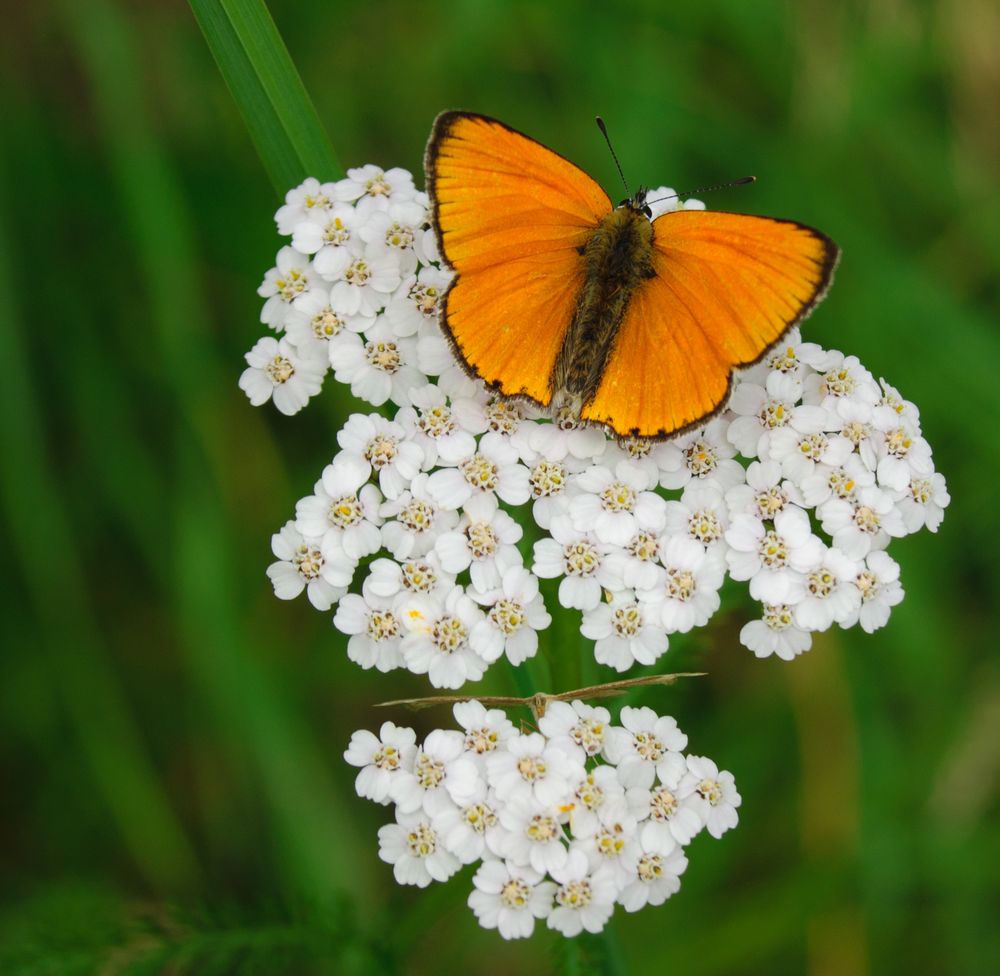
(429,530)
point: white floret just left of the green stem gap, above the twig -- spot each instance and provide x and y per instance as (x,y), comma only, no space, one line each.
(516,613)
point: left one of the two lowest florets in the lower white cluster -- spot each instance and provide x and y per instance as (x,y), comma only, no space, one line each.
(509,898)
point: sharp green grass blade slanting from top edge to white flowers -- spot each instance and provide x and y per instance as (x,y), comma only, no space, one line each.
(277,110)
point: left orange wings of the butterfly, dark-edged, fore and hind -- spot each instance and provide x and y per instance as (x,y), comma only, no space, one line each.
(510,215)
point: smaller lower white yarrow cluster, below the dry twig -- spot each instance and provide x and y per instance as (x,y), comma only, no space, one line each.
(565,822)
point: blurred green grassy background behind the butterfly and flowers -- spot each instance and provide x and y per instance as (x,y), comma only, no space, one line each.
(173,795)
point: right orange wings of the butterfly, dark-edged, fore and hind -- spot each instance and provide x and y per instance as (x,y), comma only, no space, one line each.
(727,288)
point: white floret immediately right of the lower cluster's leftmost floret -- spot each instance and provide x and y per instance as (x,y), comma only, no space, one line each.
(442,773)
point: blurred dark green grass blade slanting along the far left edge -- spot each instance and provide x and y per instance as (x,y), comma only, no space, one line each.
(79,666)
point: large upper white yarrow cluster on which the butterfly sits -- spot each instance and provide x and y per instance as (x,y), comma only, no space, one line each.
(796,488)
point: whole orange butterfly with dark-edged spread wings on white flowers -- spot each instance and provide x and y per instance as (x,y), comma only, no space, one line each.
(565,300)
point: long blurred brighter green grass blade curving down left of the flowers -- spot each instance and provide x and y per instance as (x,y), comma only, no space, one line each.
(313,825)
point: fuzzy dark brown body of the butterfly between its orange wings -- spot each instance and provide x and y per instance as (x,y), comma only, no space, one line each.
(617,259)
